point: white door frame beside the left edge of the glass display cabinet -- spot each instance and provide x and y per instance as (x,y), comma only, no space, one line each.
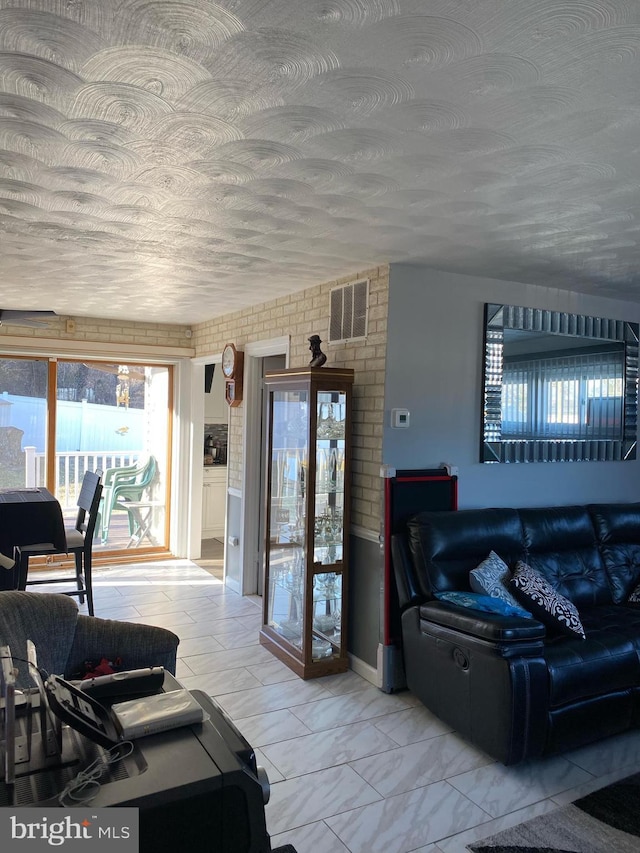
(252,452)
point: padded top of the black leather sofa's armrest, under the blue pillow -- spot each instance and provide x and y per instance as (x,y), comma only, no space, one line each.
(492,627)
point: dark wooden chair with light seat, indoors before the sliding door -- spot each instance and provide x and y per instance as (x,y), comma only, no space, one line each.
(79,543)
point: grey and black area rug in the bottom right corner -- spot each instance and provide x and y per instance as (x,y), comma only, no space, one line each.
(607,821)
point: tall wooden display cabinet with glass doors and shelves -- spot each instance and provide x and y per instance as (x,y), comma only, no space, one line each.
(307,518)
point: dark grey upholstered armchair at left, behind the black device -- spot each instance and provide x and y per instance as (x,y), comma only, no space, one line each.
(65,639)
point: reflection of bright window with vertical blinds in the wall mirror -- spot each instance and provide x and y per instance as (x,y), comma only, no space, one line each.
(577,396)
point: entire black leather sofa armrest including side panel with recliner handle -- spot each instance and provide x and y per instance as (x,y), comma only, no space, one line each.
(487,677)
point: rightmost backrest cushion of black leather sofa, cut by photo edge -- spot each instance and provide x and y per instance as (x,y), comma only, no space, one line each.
(617,527)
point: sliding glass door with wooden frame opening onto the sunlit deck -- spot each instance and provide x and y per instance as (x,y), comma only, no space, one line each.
(61,418)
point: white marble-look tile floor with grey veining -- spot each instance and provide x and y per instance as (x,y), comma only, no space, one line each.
(351,768)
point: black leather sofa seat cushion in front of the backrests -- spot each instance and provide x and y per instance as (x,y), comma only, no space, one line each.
(605,662)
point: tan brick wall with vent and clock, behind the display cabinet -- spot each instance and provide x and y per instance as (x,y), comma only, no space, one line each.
(300,315)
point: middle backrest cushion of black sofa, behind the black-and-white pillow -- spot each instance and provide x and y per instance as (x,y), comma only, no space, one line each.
(561,546)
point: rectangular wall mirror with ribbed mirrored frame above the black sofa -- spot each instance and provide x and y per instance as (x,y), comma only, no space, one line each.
(558,387)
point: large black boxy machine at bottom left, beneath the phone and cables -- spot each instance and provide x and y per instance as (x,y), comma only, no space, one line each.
(197,787)
